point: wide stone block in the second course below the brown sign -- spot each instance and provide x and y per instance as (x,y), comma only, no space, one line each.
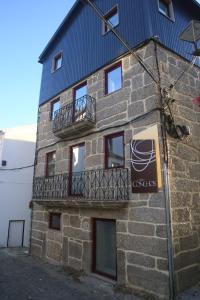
(146,214)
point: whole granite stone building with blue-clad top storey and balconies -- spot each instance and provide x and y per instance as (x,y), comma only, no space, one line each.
(105,116)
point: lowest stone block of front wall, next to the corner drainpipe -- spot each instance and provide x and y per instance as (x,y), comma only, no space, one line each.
(151,280)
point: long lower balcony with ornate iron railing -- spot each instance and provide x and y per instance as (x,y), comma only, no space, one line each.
(89,188)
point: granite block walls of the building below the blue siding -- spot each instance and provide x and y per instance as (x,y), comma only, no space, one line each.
(141,225)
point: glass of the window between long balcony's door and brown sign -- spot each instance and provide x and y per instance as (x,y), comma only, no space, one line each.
(115,152)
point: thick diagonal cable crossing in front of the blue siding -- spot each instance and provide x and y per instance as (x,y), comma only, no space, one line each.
(125,44)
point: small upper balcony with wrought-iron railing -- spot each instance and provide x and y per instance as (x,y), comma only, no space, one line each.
(75,117)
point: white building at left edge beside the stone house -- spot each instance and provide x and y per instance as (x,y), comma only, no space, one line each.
(17,152)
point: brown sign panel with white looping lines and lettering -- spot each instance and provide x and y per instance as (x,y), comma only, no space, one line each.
(143,166)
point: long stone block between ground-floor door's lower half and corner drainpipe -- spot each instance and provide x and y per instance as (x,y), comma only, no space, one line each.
(146,245)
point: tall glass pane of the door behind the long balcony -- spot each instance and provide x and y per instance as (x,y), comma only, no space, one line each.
(78,167)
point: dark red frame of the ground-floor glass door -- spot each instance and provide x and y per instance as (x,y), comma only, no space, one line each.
(94,270)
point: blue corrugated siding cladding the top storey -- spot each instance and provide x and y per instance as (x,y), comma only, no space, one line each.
(85,49)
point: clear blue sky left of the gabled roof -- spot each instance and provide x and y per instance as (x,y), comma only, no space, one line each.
(25,28)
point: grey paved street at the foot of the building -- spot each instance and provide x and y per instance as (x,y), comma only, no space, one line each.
(25,278)
